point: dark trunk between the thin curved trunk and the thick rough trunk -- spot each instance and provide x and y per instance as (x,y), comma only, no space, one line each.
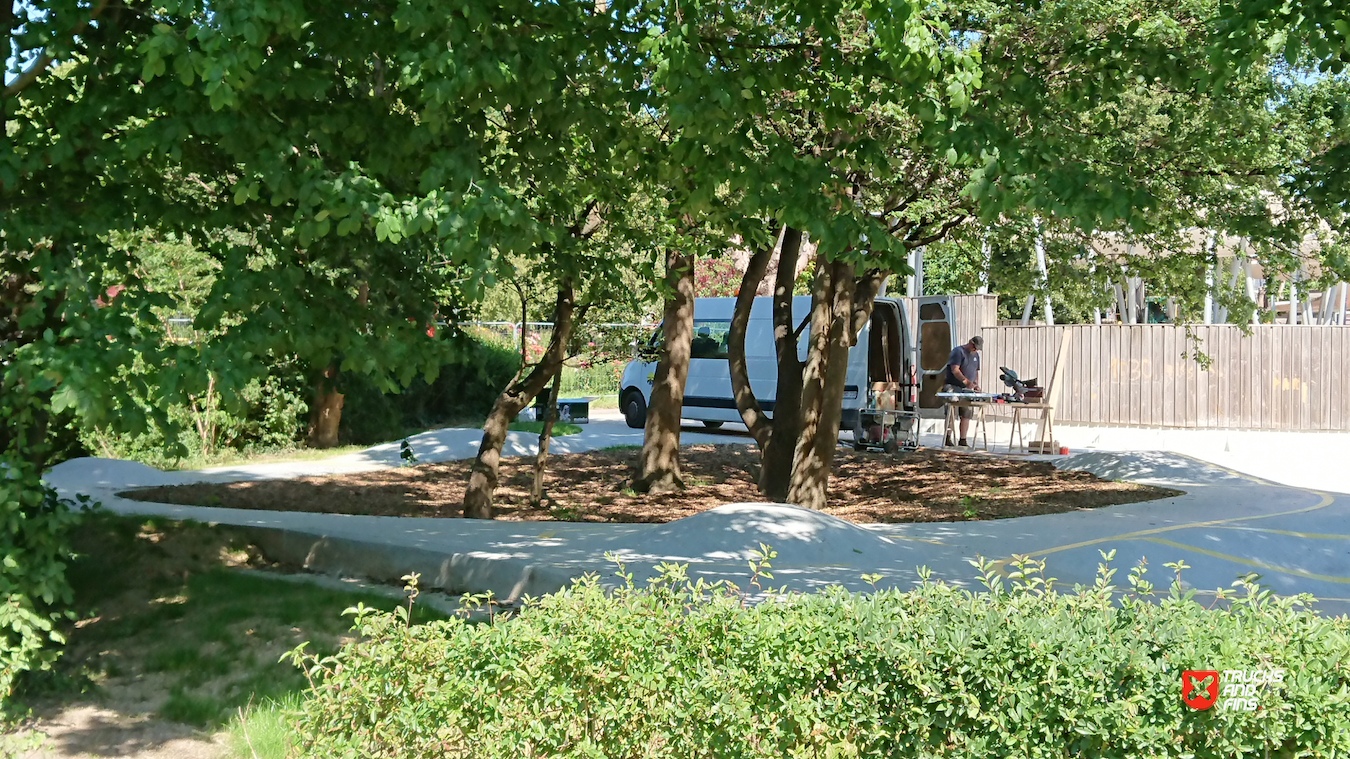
(777,468)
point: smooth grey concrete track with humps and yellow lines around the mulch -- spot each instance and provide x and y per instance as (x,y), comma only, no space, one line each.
(1228,523)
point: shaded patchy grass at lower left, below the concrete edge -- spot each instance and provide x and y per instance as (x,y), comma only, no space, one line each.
(180,627)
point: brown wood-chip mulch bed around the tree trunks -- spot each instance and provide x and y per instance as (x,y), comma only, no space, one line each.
(928,486)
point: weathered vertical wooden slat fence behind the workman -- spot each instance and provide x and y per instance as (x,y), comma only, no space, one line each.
(1279,377)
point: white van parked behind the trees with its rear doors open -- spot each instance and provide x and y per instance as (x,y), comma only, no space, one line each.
(882,355)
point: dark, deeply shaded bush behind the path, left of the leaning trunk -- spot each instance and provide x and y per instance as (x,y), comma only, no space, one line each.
(464,391)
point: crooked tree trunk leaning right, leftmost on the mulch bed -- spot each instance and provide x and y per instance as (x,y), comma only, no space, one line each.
(483,476)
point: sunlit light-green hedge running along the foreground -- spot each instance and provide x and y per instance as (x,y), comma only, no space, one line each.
(681,671)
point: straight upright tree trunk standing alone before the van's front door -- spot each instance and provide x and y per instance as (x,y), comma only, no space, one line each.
(661,444)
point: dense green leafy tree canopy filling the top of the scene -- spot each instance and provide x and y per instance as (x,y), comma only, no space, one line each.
(353,175)
